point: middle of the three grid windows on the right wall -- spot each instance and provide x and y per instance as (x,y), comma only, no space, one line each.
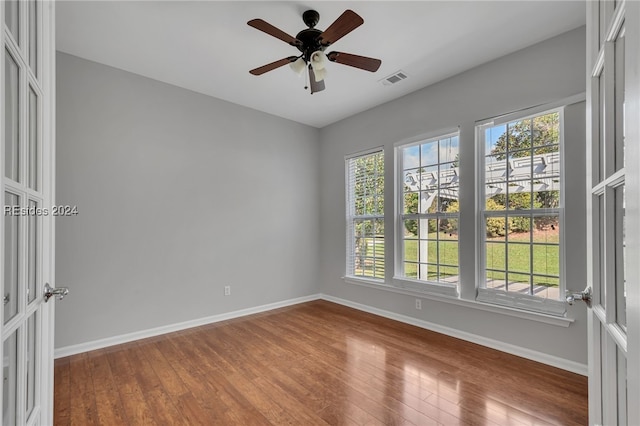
(429,206)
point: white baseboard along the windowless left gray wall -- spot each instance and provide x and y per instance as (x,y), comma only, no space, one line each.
(130,337)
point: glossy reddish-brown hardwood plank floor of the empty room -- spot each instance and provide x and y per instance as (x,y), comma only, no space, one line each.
(313,363)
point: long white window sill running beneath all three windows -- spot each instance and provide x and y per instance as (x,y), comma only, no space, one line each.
(560,321)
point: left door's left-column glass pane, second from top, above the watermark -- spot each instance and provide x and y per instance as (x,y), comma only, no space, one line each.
(11,121)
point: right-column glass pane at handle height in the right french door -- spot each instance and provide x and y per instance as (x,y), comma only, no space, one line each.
(621,282)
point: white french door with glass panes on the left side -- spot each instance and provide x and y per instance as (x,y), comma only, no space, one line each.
(27,81)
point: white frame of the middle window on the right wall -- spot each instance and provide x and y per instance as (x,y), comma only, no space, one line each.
(399,278)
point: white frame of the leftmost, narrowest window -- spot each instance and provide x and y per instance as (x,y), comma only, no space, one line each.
(351,217)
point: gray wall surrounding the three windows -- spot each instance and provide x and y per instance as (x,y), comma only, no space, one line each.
(545,72)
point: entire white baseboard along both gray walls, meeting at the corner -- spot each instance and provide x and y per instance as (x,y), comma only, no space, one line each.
(469,337)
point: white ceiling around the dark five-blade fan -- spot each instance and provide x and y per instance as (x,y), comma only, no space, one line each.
(207,46)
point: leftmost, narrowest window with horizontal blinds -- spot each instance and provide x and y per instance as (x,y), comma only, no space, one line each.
(365,215)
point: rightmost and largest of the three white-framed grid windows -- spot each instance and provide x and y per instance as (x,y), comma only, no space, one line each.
(521,212)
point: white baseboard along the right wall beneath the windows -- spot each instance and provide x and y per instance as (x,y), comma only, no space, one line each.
(541,357)
